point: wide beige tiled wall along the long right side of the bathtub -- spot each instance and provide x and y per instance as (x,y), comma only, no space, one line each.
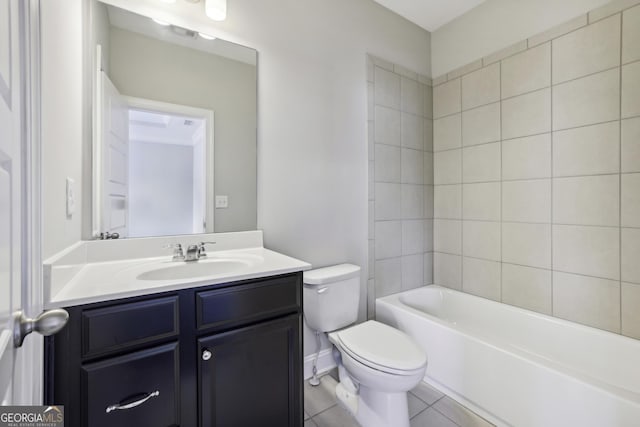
(537,173)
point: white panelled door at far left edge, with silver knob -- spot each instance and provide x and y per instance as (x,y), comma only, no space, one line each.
(15,387)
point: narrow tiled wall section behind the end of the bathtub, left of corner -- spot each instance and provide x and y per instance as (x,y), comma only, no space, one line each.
(400,180)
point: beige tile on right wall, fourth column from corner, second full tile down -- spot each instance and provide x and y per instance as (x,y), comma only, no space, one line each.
(586,101)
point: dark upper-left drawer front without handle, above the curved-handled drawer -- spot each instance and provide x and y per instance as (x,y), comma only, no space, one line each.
(113,328)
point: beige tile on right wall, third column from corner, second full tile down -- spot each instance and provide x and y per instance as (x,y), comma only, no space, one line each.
(526,115)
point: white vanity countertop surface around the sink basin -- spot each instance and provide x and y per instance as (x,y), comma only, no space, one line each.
(76,284)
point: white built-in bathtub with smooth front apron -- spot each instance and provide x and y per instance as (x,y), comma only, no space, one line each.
(517,367)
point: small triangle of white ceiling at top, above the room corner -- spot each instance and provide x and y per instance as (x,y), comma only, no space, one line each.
(430,14)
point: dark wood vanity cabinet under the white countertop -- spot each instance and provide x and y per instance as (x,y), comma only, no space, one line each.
(223,355)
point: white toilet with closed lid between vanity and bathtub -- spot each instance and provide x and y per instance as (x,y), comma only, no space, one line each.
(377,363)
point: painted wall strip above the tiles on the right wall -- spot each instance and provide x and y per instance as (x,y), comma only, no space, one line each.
(496,24)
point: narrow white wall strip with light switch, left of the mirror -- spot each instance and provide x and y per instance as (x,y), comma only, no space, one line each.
(62,121)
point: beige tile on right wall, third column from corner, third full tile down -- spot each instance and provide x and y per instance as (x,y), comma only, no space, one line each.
(527,158)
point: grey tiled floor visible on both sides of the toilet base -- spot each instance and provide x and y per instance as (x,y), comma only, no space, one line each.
(427,408)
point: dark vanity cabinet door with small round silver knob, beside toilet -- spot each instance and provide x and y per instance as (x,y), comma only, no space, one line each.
(252,376)
